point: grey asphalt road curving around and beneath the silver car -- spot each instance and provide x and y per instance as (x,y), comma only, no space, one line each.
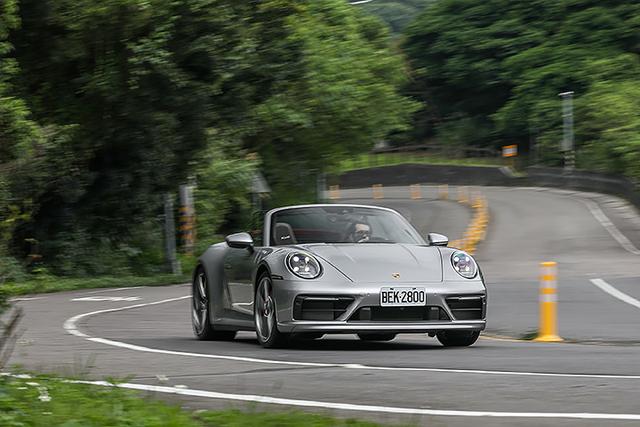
(411,379)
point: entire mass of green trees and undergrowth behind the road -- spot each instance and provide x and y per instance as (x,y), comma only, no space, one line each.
(107,108)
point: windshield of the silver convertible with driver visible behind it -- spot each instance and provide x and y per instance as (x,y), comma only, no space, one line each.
(340,224)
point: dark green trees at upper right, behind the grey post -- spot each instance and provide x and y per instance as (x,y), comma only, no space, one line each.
(490,73)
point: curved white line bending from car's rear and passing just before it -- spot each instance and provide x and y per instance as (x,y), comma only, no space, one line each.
(70,325)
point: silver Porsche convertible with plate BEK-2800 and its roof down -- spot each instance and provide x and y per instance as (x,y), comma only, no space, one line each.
(327,269)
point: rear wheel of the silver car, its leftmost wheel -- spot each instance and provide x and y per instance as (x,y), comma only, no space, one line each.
(200,315)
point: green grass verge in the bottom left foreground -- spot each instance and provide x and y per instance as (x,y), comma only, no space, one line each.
(48,401)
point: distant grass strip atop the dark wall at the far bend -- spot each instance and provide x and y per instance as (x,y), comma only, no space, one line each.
(365,161)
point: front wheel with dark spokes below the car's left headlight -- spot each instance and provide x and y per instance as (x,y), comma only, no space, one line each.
(264,316)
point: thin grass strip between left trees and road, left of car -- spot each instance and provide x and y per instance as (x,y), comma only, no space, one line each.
(47,283)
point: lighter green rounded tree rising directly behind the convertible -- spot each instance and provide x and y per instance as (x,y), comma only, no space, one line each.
(333,91)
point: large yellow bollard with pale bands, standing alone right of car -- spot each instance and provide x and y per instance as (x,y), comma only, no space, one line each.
(548,302)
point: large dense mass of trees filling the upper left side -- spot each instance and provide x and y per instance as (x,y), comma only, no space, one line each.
(107,106)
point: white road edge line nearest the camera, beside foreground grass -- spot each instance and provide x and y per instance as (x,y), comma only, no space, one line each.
(179,390)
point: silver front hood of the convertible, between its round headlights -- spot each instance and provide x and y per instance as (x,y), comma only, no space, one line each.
(381,262)
